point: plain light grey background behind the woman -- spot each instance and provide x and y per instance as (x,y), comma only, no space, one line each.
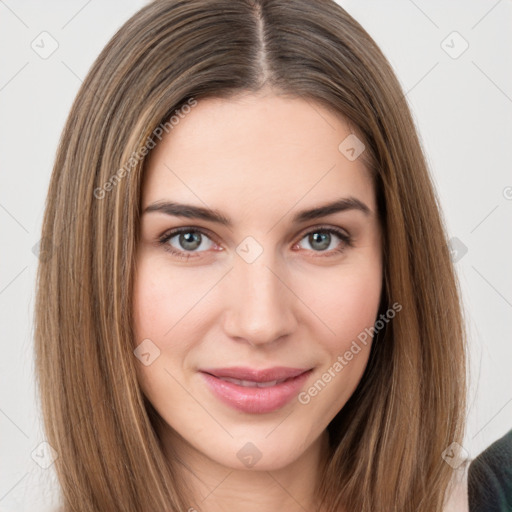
(463,110)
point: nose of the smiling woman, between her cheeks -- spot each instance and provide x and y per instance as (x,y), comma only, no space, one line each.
(259,305)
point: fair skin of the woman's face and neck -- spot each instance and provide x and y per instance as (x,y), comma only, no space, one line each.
(258,159)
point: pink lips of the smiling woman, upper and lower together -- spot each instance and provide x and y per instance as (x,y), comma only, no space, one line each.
(255,400)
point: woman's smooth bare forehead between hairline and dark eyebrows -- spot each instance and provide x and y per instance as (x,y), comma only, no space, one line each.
(255,153)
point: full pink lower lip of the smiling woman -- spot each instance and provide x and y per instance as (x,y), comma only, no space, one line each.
(256,400)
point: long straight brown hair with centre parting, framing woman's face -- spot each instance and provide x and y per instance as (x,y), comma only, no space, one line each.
(387,442)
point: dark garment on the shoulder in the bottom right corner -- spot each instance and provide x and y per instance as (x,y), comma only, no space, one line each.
(490,478)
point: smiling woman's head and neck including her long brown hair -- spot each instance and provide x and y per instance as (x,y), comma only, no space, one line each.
(196,348)
